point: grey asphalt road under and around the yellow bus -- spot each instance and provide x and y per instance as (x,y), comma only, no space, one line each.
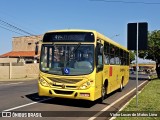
(22,97)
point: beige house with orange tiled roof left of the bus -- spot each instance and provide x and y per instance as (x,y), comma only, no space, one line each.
(23,48)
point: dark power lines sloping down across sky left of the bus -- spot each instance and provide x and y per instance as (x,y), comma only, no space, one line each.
(8,25)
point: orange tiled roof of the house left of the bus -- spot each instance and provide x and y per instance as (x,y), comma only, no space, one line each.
(19,54)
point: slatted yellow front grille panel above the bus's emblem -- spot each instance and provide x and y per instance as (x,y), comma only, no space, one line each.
(69,81)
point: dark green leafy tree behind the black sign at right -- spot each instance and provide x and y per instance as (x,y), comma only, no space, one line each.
(153,52)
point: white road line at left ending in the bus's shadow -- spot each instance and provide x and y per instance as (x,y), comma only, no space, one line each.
(21,106)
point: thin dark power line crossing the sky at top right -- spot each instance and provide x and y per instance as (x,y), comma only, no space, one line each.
(126,2)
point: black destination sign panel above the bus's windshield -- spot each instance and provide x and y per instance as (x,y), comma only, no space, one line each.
(69,37)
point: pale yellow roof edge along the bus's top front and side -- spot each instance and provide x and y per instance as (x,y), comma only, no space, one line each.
(99,35)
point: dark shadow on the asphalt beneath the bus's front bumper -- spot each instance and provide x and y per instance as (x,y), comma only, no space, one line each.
(61,101)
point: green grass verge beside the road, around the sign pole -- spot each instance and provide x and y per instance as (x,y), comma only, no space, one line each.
(148,102)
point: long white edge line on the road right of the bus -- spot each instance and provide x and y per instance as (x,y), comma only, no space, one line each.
(106,108)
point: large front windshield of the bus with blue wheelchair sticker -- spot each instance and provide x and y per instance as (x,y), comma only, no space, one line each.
(67,59)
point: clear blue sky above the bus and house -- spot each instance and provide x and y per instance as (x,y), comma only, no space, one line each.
(105,16)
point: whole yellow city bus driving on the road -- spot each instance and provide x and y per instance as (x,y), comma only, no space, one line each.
(81,64)
